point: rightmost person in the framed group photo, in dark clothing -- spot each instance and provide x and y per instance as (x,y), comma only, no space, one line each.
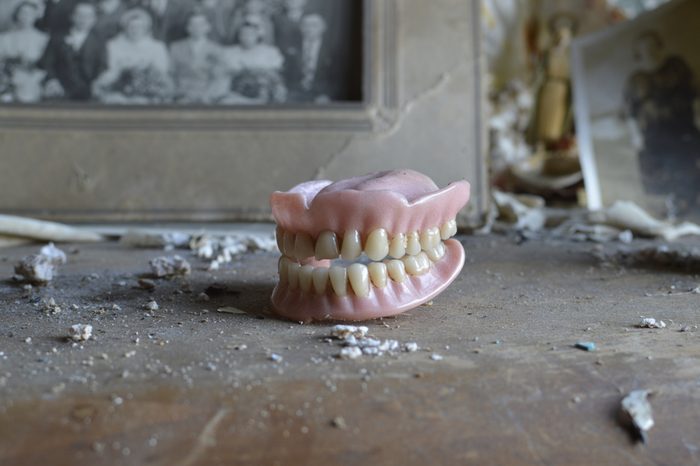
(309,77)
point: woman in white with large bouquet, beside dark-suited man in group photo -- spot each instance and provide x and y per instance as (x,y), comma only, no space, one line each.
(137,64)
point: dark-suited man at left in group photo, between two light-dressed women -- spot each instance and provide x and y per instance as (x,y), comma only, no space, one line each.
(73,60)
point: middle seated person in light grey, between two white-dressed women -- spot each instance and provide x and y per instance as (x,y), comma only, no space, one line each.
(197,65)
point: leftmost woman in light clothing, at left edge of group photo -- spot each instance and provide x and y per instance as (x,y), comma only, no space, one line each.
(20,50)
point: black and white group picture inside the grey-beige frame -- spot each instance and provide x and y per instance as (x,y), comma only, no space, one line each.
(181,52)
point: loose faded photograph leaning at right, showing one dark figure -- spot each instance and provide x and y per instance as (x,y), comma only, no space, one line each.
(638,111)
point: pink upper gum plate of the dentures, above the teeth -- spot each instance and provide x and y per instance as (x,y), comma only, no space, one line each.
(398,201)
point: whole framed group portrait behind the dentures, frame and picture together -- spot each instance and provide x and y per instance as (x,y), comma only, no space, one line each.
(196,110)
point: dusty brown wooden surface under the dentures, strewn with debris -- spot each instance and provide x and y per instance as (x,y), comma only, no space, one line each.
(510,388)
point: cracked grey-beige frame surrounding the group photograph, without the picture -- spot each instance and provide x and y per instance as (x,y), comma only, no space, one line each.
(422,109)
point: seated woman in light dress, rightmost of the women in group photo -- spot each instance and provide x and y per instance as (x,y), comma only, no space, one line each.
(254,67)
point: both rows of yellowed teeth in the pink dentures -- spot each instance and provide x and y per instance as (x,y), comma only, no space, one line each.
(384,258)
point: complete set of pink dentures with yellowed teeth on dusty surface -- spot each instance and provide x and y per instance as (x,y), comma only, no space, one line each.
(365,247)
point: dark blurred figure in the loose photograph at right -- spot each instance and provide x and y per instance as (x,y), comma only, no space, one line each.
(660,105)
